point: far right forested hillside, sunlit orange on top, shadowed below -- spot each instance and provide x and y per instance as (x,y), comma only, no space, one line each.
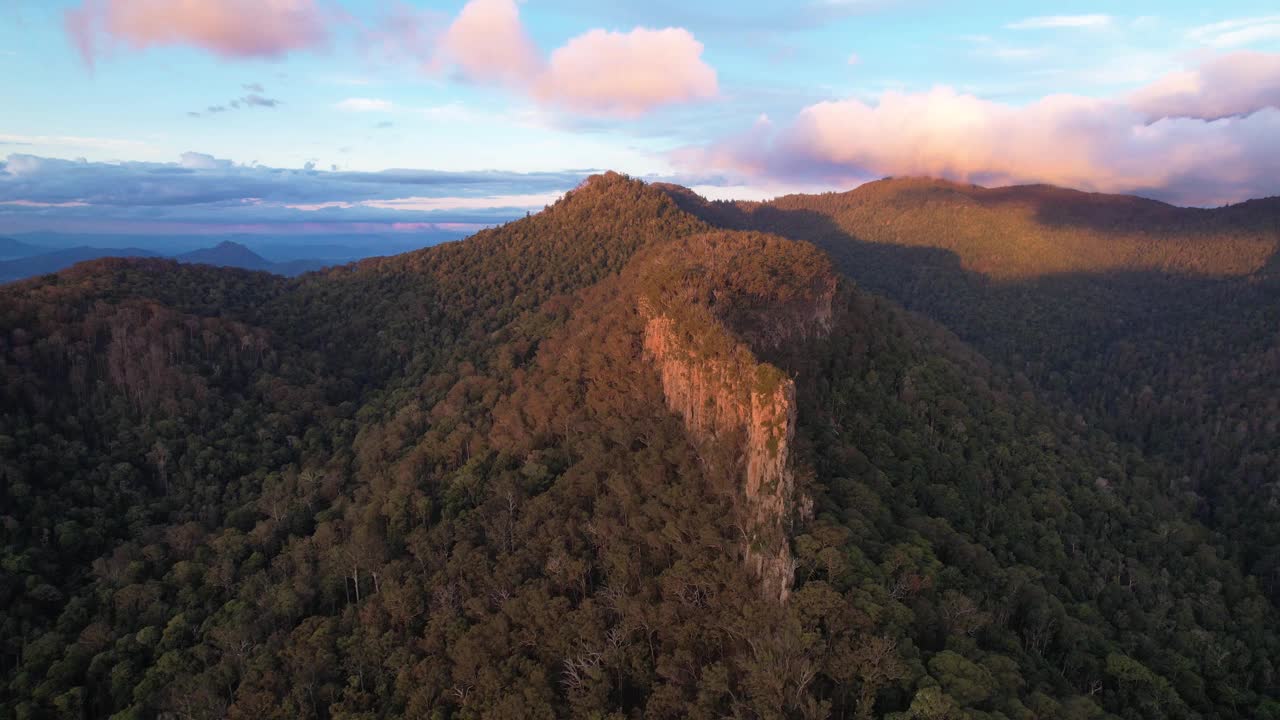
(1155,323)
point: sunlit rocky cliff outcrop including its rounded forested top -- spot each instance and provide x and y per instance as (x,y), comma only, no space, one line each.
(701,335)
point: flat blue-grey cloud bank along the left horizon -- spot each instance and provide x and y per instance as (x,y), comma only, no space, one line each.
(213,193)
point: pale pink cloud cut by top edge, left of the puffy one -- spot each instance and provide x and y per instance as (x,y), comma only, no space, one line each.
(490,44)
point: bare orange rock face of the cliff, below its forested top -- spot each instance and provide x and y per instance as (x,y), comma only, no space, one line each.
(726,397)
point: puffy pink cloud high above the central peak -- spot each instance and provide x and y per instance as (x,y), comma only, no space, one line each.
(615,74)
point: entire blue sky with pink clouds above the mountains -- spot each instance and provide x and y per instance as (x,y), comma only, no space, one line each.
(280,104)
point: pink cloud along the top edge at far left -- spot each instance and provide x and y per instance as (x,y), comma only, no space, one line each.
(231,29)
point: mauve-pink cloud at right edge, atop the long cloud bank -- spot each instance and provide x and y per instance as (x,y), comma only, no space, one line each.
(1229,85)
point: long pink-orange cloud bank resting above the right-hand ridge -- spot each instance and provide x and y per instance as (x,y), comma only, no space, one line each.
(1196,143)
